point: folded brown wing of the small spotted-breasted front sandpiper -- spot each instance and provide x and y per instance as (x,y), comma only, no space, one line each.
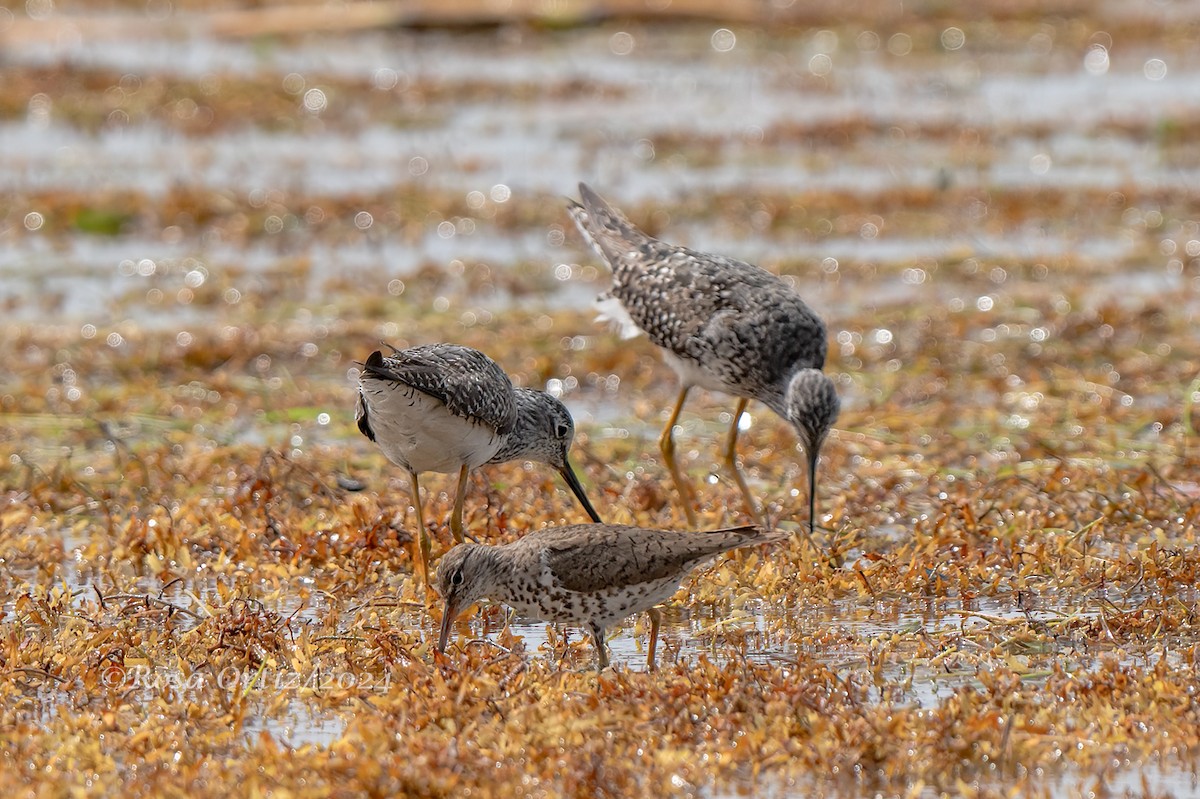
(584,558)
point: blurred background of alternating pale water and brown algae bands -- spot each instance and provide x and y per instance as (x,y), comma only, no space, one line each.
(167,163)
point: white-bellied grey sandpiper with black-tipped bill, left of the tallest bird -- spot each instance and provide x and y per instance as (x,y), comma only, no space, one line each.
(449,408)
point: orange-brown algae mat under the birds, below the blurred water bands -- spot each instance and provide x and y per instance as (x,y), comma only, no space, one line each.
(1004,587)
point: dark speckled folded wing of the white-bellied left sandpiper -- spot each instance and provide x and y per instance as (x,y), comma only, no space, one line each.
(470,383)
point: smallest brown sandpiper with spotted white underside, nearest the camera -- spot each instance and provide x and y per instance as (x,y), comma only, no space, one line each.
(595,575)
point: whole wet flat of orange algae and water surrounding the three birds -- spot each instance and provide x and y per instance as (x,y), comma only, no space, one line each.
(202,235)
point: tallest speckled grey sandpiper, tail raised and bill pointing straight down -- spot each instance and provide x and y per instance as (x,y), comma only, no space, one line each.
(723,326)
